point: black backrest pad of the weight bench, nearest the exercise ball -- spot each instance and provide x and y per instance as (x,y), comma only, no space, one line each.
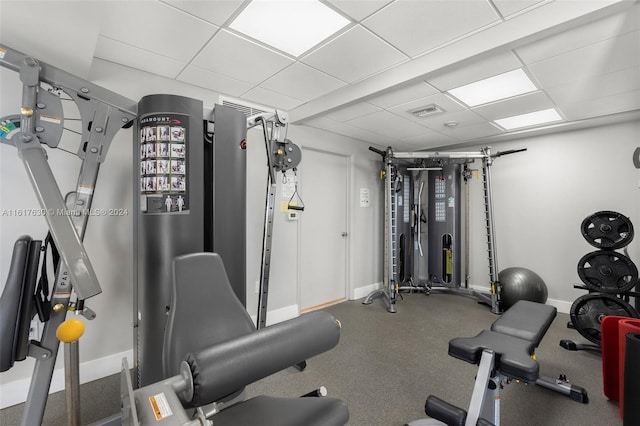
(526,320)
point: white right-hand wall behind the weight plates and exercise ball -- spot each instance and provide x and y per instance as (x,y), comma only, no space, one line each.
(542,195)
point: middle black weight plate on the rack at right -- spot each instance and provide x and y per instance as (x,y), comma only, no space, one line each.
(607,271)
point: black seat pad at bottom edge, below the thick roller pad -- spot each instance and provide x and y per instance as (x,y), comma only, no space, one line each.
(271,411)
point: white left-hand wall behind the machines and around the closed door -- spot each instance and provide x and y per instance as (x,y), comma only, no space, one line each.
(108,240)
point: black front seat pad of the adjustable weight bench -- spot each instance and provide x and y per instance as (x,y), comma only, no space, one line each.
(513,355)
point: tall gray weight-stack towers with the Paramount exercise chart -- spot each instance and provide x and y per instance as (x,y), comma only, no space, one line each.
(190,198)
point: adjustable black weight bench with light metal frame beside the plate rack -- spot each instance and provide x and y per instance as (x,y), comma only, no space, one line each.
(503,353)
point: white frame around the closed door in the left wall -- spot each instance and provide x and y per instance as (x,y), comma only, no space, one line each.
(347,259)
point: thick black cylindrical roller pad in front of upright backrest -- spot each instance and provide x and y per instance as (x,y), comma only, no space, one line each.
(224,368)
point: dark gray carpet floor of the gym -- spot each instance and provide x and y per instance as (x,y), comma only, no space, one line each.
(387,364)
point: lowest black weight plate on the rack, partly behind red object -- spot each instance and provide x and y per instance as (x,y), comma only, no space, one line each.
(588,311)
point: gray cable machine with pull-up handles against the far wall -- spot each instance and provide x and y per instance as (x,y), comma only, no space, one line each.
(423,207)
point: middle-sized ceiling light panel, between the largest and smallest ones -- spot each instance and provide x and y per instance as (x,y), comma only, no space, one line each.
(494,88)
